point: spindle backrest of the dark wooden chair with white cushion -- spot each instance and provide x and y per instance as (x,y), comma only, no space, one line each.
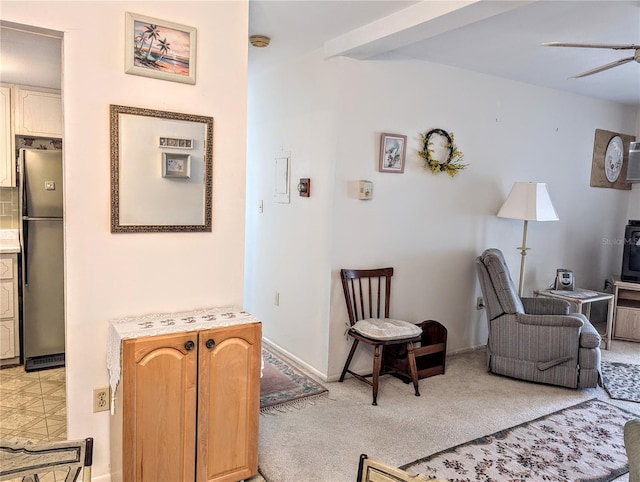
(367,292)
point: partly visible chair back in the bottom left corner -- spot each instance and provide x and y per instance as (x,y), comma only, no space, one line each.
(29,461)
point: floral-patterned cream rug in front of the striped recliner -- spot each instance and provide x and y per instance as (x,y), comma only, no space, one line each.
(583,442)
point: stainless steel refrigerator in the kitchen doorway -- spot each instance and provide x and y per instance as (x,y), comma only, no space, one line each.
(41,238)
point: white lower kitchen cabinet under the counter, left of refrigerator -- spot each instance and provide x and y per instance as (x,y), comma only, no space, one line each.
(9,341)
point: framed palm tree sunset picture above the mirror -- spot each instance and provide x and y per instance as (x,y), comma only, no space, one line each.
(160,49)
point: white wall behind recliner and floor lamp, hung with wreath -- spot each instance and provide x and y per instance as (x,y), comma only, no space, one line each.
(330,114)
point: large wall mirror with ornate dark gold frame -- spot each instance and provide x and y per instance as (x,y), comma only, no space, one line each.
(161,171)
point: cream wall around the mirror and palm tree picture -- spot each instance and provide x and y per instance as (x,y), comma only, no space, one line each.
(115,275)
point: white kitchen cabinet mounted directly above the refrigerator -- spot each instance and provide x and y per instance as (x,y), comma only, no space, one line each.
(37,111)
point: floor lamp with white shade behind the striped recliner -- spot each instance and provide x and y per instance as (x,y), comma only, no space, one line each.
(528,201)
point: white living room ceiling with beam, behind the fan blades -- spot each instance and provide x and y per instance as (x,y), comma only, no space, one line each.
(500,38)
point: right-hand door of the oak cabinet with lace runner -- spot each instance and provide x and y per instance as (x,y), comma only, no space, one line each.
(229,403)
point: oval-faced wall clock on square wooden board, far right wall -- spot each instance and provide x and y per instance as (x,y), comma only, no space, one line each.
(610,159)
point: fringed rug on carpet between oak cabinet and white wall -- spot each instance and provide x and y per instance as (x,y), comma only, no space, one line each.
(283,387)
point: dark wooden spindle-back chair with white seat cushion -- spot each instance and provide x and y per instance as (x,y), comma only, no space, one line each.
(367,293)
